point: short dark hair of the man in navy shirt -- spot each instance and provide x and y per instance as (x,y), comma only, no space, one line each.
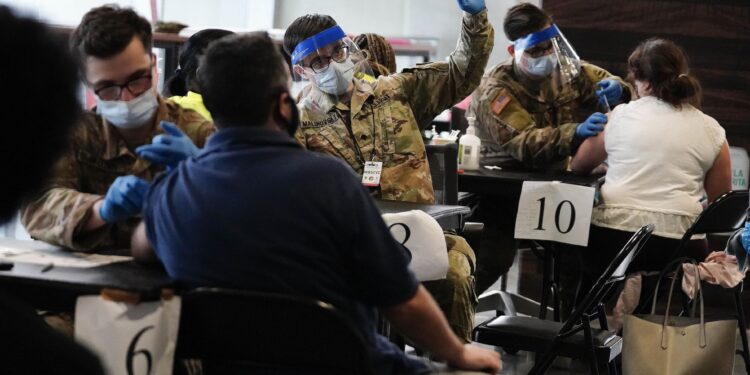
(241,77)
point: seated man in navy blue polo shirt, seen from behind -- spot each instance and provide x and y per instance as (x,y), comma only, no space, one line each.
(255,211)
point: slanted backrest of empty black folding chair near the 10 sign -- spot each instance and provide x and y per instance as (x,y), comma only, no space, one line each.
(614,272)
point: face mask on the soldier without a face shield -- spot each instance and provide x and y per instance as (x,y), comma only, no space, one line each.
(129,115)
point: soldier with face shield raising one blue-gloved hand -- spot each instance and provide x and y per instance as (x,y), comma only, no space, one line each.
(374,124)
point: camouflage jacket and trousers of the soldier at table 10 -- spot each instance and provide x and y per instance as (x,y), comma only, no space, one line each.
(534,122)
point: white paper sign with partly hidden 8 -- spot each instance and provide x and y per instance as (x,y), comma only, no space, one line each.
(424,239)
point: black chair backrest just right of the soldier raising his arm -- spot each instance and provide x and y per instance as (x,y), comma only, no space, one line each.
(443,160)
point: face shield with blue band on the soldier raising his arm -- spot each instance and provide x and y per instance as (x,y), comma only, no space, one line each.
(333,64)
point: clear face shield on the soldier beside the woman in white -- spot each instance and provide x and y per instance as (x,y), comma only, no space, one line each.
(546,53)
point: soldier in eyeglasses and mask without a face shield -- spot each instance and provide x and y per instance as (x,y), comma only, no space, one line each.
(95,196)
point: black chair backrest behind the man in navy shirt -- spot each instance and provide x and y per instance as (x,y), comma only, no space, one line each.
(269,331)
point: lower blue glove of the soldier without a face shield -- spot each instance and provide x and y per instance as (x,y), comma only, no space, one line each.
(124,199)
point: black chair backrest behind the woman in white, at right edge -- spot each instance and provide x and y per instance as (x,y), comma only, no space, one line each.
(725,214)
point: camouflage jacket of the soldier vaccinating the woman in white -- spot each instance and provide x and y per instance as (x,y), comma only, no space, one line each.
(534,122)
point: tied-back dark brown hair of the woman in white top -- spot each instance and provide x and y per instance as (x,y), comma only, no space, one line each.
(664,65)
